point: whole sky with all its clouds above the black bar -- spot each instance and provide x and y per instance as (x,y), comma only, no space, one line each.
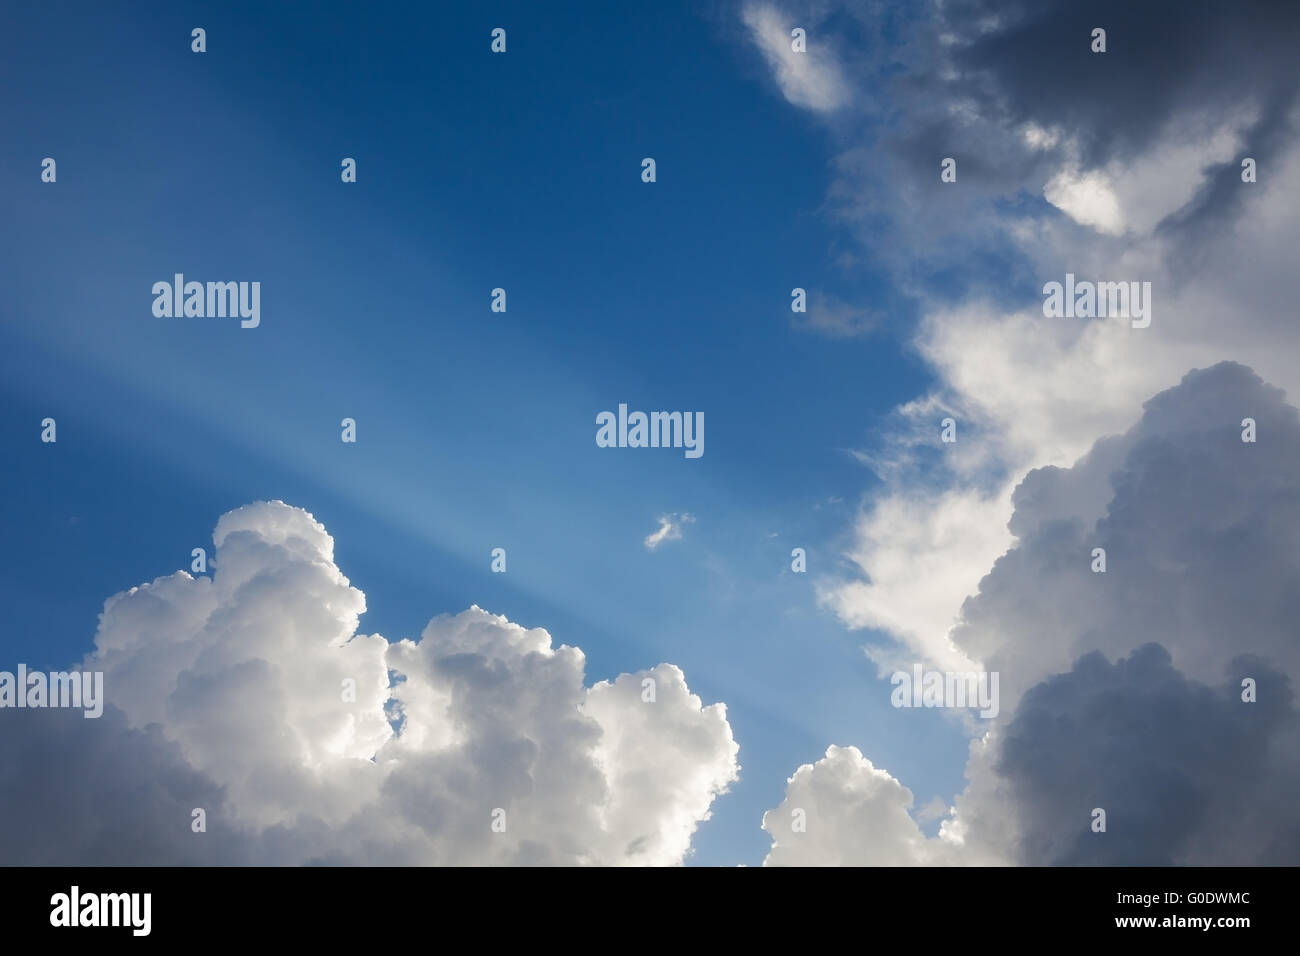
(777,168)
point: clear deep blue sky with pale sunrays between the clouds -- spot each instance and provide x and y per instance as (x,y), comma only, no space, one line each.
(476,430)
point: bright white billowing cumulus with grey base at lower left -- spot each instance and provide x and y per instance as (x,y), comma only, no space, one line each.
(252,695)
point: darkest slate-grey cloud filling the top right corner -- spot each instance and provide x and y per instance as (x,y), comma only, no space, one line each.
(1162,59)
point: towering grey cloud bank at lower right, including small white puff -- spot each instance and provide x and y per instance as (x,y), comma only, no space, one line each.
(1158,691)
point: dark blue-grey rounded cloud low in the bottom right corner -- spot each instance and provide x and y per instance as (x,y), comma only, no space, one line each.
(1182,771)
